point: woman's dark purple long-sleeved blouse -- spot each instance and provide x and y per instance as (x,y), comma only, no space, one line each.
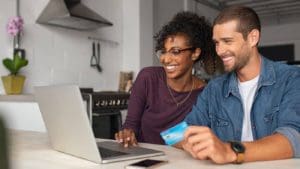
(151,108)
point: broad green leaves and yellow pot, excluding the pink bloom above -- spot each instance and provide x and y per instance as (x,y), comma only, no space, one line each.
(13,83)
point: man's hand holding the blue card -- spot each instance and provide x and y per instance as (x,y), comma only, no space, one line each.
(203,144)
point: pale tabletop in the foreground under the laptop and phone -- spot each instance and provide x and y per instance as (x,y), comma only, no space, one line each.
(31,150)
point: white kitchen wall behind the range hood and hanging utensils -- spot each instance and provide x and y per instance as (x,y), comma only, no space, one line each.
(58,55)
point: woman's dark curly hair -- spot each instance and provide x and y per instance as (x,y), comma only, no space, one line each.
(199,33)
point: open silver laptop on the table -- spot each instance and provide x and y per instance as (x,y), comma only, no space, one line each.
(70,131)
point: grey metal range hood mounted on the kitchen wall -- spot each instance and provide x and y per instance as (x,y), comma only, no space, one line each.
(71,14)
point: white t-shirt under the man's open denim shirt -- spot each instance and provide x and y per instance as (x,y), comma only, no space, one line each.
(247,91)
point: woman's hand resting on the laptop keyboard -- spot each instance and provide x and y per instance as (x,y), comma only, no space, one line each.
(126,137)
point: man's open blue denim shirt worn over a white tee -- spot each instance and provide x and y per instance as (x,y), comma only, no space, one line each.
(275,109)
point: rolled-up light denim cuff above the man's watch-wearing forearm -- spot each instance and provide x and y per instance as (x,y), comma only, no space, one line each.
(293,136)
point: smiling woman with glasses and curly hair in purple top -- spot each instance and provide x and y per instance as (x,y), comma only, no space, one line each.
(161,97)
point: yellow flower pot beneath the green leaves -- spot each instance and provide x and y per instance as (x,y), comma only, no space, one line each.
(13,84)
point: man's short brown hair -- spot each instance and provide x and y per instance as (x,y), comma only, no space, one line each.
(247,19)
